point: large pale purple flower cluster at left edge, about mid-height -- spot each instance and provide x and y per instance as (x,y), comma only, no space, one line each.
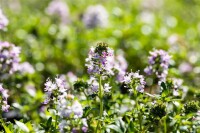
(9,57)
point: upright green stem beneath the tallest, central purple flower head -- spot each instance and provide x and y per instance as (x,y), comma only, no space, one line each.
(101,105)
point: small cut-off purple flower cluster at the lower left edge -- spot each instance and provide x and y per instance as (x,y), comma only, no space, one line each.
(4,96)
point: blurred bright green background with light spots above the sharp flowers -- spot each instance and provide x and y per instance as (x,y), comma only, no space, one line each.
(135,26)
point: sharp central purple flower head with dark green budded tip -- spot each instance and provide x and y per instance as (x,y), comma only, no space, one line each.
(97,61)
